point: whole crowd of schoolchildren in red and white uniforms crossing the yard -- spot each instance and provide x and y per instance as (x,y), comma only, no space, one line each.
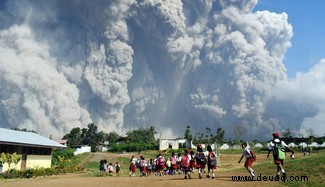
(190,161)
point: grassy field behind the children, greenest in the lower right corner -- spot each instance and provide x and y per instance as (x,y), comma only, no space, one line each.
(302,171)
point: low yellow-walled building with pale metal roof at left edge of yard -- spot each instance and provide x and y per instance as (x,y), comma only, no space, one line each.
(35,150)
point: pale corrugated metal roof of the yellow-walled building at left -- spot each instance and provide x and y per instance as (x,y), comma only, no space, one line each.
(21,137)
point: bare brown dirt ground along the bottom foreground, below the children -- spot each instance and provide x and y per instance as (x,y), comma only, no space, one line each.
(174,180)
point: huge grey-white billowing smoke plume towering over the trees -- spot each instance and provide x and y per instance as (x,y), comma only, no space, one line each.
(124,64)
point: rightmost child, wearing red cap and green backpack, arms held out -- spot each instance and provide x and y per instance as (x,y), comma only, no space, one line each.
(277,146)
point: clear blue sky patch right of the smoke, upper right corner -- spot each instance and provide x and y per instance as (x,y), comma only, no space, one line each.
(308,41)
